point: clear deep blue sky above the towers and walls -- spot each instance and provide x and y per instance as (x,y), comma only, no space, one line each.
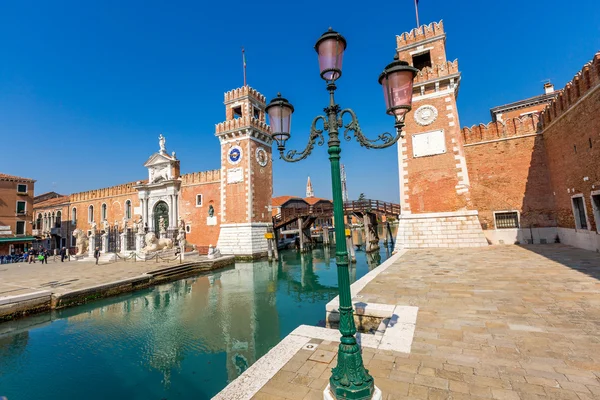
(86,87)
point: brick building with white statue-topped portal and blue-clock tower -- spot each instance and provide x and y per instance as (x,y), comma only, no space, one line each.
(226,207)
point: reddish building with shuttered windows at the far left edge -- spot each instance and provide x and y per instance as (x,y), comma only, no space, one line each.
(16,209)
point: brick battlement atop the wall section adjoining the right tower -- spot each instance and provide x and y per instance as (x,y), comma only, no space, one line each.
(513,127)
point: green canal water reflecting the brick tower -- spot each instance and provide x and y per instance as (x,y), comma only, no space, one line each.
(182,340)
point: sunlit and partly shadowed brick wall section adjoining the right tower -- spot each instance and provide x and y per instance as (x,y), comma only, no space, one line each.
(508,171)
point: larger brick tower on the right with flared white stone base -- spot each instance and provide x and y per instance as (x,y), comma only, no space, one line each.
(434,181)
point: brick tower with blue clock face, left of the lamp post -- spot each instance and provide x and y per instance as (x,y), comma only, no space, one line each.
(246,174)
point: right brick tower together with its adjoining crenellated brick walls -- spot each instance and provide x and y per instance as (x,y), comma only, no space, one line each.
(532,175)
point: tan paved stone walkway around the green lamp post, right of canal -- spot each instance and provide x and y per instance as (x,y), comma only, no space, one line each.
(500,322)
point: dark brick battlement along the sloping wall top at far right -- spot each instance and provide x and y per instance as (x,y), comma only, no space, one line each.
(582,83)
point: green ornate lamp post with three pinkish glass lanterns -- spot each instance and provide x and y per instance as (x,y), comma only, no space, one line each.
(349,379)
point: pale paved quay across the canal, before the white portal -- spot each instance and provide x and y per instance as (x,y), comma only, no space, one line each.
(59,277)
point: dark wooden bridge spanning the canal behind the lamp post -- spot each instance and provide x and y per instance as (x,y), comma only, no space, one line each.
(366,210)
